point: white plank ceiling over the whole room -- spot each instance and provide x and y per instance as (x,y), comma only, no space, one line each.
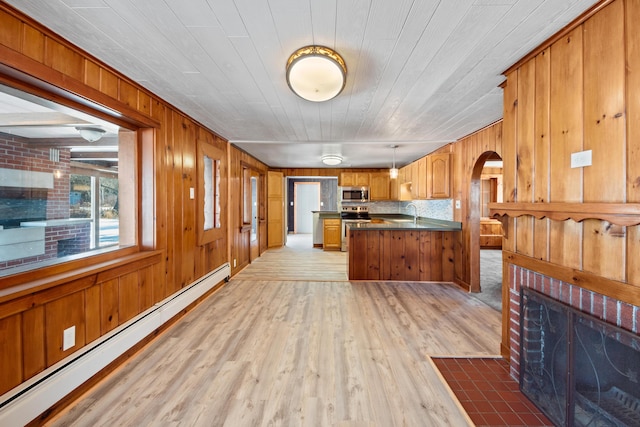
(421,73)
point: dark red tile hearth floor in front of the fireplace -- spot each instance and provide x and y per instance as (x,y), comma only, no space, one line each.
(489,395)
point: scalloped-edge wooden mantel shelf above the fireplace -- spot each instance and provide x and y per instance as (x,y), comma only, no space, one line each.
(624,214)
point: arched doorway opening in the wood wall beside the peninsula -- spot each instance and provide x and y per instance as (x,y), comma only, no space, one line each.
(486,233)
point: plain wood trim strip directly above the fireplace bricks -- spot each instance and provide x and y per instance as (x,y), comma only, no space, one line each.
(622,291)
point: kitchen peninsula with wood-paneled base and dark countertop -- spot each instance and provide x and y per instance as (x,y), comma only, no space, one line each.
(402,250)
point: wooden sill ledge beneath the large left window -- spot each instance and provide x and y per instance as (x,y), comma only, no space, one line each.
(105,269)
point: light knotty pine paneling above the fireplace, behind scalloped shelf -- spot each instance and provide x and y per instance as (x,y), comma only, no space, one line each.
(580,91)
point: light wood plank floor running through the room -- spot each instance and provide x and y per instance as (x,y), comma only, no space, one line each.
(299,353)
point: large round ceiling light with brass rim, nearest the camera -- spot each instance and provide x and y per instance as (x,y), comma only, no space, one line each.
(316,73)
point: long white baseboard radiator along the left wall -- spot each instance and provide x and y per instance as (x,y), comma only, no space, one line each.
(33,397)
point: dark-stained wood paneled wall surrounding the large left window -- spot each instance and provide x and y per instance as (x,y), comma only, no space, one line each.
(98,293)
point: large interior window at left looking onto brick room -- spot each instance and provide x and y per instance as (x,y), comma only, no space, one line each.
(60,196)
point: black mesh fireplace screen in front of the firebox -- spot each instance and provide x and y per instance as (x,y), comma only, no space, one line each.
(578,370)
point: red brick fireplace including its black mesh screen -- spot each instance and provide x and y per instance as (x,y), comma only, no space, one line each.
(618,318)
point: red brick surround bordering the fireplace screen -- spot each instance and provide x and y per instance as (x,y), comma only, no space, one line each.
(605,308)
